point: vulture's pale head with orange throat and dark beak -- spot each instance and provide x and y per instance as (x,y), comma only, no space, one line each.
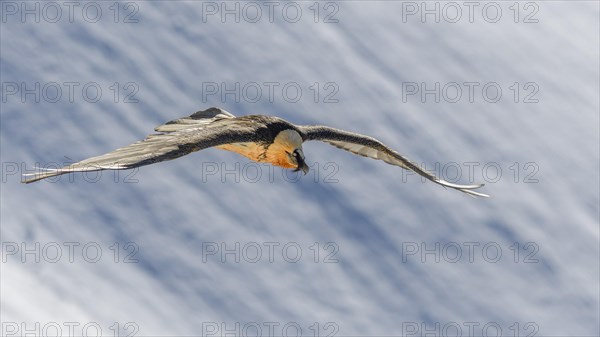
(286,151)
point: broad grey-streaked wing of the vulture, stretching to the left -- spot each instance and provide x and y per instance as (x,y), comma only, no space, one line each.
(199,131)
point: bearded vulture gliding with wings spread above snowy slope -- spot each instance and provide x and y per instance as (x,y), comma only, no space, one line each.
(257,137)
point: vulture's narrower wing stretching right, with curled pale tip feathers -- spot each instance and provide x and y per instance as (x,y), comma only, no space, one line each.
(370,147)
